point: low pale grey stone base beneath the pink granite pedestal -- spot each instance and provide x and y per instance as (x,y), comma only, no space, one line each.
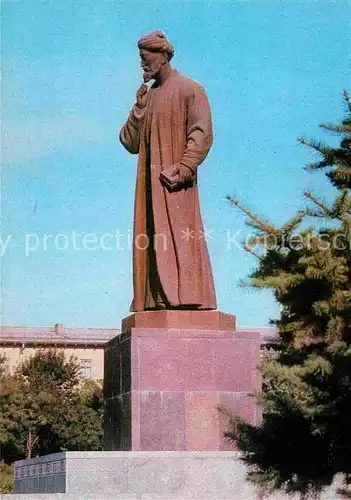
(100,475)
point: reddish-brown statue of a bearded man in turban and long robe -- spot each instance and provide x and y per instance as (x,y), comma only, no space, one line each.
(170,128)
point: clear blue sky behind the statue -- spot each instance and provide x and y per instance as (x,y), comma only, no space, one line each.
(273,71)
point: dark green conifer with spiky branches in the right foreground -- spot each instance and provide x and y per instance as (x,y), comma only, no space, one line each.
(304,439)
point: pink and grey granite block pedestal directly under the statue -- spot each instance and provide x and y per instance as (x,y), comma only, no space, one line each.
(166,375)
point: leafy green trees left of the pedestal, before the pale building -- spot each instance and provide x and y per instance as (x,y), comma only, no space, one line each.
(45,408)
